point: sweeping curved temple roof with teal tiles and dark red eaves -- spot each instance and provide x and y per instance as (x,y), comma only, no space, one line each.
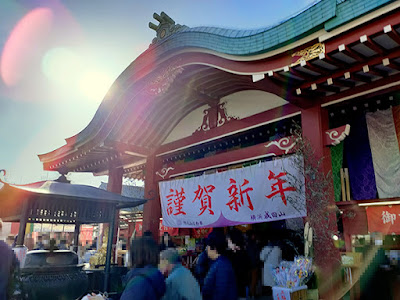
(186,68)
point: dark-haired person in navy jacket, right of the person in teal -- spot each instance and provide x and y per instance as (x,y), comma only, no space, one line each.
(220,282)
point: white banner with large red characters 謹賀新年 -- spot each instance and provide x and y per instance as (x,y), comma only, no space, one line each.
(268,191)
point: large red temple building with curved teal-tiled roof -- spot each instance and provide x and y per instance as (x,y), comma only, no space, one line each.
(202,101)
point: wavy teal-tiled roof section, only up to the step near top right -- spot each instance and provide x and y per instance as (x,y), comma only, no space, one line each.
(250,42)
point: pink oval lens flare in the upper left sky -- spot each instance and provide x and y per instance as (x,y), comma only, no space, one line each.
(23,43)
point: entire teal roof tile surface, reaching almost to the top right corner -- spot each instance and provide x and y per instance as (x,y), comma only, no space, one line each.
(327,14)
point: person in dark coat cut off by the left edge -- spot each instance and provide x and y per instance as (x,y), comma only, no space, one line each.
(8,263)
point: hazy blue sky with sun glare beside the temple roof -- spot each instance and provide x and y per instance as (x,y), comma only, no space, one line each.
(57,59)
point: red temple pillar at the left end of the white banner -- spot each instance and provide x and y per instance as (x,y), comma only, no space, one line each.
(152,208)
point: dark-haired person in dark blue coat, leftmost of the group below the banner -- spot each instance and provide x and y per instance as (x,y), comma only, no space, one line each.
(144,281)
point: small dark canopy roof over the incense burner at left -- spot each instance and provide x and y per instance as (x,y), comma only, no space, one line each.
(60,202)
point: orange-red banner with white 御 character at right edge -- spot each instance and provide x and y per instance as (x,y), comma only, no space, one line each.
(385,219)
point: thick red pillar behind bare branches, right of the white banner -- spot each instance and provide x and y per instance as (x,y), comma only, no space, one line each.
(322,215)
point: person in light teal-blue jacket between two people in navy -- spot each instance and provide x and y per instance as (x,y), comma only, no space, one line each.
(180,283)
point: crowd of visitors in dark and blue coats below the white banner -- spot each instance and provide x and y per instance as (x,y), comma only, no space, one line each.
(228,268)
